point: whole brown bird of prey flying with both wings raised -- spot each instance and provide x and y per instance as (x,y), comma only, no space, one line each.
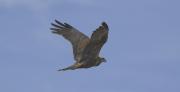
(86,50)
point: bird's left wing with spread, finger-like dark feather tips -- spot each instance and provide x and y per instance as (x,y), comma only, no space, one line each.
(76,38)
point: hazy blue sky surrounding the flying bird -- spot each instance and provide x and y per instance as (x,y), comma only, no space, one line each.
(142,52)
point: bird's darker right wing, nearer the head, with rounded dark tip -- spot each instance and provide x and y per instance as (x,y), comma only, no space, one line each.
(98,39)
